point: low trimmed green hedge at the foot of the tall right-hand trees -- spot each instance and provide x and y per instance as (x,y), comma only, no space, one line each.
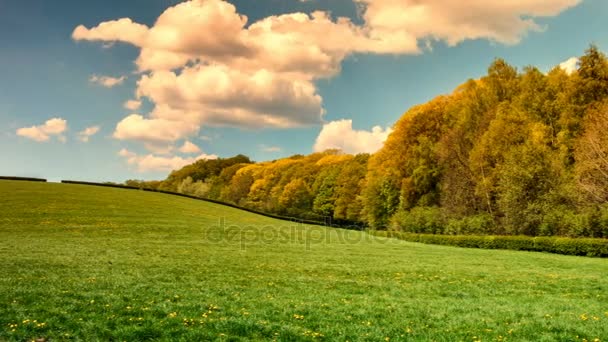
(558,245)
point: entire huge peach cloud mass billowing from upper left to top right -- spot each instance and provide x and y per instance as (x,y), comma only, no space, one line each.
(203,63)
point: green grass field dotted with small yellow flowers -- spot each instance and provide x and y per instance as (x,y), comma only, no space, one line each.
(88,263)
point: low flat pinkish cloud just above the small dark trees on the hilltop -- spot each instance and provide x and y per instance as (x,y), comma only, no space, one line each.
(151,162)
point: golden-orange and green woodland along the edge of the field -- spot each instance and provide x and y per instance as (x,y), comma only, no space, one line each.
(512,153)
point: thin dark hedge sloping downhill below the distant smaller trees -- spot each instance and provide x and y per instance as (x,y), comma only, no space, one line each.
(279,217)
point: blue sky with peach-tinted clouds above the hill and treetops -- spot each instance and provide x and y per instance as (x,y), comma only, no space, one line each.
(116,90)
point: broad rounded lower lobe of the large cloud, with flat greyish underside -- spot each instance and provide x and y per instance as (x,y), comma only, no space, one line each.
(218,95)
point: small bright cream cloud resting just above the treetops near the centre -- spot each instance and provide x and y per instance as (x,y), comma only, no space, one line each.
(341,135)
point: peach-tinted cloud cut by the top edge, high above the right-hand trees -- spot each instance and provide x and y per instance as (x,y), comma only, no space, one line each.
(453,22)
